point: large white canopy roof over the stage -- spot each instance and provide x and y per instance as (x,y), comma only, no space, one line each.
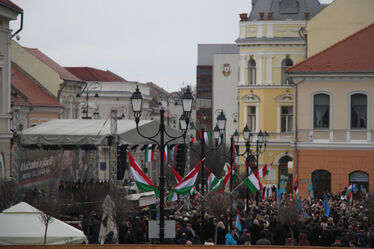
(92,132)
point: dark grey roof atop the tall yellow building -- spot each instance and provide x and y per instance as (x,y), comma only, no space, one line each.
(285,9)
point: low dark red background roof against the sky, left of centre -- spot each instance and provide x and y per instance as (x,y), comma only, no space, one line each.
(93,74)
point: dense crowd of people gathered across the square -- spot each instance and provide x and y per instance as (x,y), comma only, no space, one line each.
(346,224)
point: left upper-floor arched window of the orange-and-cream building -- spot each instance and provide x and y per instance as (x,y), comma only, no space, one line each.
(321,111)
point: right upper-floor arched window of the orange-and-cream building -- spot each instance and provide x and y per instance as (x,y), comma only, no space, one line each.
(358,111)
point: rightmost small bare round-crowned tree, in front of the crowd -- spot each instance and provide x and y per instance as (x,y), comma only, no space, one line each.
(290,215)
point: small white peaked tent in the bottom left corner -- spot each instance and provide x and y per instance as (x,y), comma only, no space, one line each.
(21,225)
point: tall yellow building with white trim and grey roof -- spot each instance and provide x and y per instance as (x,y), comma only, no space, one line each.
(270,41)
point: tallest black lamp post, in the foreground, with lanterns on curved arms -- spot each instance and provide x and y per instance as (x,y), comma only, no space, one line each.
(136,104)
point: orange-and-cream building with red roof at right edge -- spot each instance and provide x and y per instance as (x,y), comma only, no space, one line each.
(335,118)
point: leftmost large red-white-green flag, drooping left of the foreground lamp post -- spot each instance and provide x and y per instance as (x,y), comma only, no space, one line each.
(142,181)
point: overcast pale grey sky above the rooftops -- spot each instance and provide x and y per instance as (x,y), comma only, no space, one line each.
(140,40)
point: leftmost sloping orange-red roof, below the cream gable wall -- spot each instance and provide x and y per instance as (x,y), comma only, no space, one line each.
(35,94)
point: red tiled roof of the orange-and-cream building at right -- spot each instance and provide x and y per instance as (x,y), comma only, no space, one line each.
(353,54)
